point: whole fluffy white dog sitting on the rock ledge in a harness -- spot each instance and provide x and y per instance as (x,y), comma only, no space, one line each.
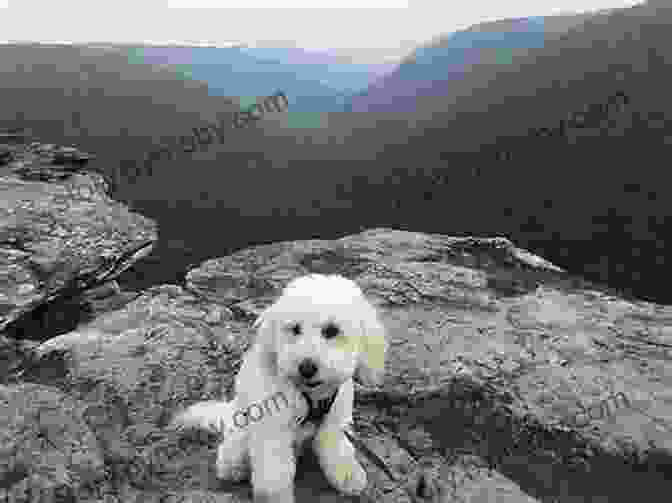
(310,343)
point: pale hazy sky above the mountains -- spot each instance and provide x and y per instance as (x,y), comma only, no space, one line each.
(387,28)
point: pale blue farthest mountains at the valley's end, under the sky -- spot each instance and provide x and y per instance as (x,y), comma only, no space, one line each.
(314,81)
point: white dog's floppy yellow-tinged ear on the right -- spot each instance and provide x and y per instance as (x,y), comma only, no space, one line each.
(372,348)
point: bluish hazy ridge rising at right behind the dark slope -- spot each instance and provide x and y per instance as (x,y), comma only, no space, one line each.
(431,69)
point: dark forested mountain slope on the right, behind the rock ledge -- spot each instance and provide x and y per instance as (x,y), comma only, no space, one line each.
(486,157)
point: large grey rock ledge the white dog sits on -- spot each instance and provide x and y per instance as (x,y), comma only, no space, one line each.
(492,353)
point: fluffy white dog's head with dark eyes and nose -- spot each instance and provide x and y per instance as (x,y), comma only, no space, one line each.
(321,332)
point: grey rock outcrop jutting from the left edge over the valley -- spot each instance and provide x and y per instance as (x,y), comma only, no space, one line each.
(62,243)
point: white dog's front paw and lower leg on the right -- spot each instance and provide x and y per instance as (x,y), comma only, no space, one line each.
(336,456)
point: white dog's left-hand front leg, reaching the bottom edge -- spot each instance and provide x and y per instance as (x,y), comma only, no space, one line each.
(273,467)
